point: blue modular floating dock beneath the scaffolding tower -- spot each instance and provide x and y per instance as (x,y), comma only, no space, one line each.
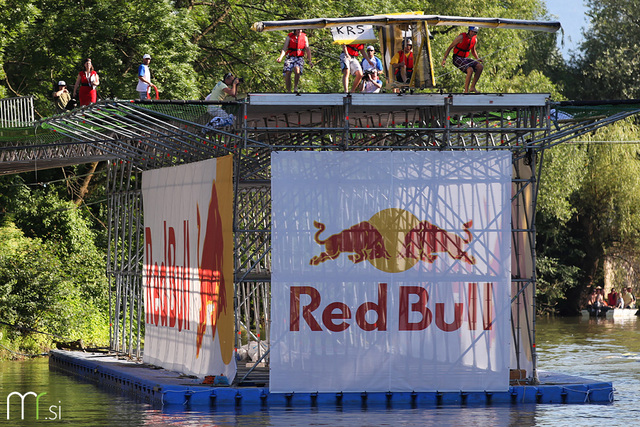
(159,386)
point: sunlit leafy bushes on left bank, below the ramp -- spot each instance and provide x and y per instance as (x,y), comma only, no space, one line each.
(52,281)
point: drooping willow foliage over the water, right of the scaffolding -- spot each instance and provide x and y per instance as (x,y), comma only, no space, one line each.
(588,210)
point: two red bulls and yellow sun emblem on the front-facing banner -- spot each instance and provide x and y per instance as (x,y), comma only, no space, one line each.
(394,240)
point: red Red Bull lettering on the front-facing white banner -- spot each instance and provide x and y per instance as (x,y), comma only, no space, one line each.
(413,313)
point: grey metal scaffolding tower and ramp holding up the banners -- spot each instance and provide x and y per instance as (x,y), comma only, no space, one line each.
(142,135)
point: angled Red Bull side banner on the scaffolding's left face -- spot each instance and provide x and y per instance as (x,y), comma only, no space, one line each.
(188,268)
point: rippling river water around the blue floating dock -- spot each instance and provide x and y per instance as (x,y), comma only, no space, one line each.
(604,350)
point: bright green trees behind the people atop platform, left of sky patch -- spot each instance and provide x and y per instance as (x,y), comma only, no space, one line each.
(194,43)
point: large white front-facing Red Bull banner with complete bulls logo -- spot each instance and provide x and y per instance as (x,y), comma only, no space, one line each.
(391,271)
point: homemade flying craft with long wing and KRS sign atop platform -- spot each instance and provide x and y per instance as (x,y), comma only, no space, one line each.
(393,28)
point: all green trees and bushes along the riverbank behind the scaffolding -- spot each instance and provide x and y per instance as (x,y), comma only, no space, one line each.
(52,223)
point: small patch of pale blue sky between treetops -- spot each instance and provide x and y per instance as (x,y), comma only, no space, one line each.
(571,14)
